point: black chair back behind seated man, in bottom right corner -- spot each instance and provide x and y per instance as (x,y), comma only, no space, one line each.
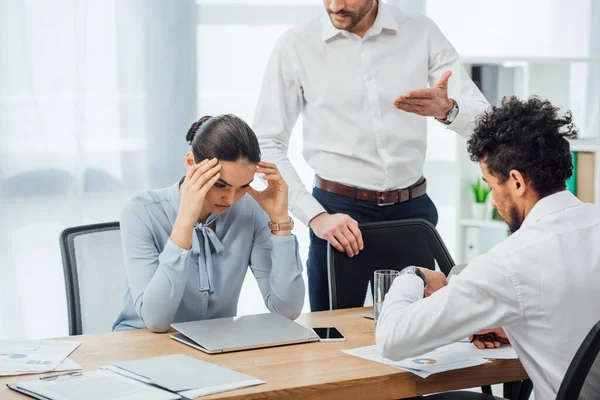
(582,380)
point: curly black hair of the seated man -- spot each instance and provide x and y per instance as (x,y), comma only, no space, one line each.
(527,136)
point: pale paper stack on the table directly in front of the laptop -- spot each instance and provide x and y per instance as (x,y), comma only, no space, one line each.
(187,376)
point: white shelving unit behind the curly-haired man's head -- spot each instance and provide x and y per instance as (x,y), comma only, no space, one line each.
(563,81)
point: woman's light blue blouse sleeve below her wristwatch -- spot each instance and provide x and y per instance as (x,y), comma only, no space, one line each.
(276,265)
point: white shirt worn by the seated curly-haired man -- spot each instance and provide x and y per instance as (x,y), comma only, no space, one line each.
(542,285)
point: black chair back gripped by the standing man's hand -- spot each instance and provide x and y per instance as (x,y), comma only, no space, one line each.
(388,245)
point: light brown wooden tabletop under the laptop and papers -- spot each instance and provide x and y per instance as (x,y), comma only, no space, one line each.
(312,370)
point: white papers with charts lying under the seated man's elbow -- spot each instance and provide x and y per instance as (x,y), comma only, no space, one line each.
(446,358)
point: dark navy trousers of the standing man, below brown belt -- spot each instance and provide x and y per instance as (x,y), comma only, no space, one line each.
(361,211)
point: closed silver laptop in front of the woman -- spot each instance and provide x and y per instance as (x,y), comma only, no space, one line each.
(223,335)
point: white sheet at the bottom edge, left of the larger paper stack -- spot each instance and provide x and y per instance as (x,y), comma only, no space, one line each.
(96,385)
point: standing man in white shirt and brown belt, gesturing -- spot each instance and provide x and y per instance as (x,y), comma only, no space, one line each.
(357,73)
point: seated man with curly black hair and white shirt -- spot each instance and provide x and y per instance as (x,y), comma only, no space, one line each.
(539,287)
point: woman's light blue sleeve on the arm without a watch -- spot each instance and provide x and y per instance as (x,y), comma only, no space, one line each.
(156,279)
